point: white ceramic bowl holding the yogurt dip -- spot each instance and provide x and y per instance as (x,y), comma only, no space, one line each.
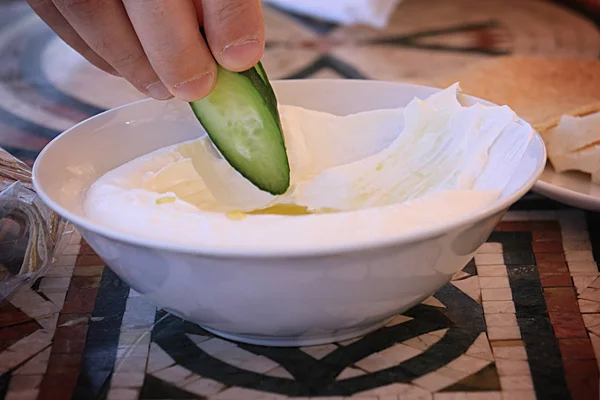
(279,298)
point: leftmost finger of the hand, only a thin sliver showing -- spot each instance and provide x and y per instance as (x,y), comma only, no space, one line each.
(46,10)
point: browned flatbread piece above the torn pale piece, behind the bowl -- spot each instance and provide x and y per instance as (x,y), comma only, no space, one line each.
(539,90)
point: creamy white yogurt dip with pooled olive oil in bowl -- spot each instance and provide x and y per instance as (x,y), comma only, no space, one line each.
(383,172)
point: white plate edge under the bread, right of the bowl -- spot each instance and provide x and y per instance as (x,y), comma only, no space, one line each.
(572,188)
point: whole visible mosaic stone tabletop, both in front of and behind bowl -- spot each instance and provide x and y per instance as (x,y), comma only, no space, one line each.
(522,321)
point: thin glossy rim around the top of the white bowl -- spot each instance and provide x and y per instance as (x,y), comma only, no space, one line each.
(400,239)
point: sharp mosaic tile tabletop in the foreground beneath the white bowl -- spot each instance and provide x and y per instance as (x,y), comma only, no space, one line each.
(522,320)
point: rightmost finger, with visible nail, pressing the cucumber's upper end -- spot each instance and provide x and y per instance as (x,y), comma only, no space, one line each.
(235,30)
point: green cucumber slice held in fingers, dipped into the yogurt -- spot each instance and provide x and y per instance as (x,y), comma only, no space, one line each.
(243,126)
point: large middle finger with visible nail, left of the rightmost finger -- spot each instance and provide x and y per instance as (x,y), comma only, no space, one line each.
(170,34)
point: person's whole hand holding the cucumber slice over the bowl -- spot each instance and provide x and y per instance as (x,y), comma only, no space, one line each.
(156,45)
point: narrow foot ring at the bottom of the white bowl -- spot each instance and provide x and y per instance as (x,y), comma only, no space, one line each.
(300,341)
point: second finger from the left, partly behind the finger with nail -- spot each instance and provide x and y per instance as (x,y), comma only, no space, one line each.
(105,27)
